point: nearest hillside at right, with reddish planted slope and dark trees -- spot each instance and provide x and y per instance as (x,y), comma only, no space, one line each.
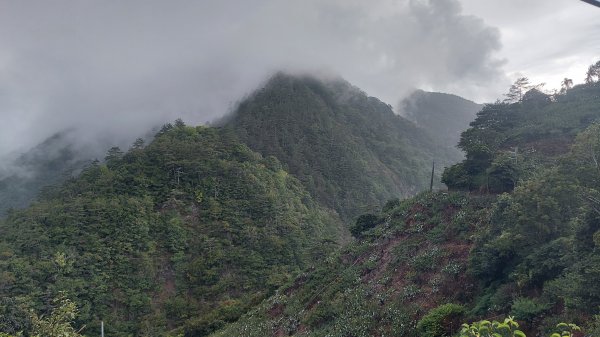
(426,264)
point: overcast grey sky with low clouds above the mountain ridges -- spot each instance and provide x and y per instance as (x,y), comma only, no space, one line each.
(113,69)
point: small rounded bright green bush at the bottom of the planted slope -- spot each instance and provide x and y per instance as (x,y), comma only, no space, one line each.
(441,321)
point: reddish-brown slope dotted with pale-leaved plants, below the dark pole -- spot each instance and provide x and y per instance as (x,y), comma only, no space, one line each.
(375,286)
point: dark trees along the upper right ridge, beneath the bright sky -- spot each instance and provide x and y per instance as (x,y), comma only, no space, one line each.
(508,141)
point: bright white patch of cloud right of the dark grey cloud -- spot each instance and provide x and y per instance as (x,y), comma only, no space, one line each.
(543,40)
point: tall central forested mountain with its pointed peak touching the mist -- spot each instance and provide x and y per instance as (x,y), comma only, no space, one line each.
(351,151)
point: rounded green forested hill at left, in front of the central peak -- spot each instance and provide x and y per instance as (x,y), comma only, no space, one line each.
(187,232)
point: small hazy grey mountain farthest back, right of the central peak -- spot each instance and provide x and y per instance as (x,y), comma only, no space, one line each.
(444,116)
